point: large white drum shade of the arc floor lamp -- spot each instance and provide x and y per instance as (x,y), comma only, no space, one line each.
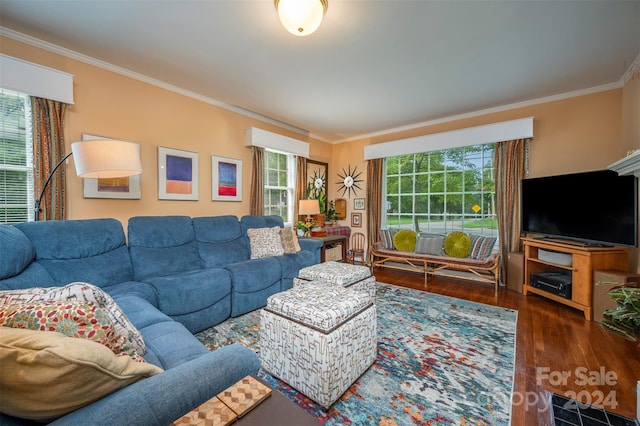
(106,158)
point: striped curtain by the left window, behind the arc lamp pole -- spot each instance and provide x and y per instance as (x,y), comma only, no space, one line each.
(48,150)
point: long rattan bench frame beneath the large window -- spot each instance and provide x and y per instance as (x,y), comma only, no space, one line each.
(482,270)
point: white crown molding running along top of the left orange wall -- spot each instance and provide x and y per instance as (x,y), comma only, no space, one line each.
(59,50)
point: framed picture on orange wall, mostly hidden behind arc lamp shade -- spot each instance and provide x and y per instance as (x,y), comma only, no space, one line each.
(116,188)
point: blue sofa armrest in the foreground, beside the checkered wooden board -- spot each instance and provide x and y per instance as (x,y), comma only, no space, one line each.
(163,398)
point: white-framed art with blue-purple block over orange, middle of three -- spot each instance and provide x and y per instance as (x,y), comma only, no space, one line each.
(177,174)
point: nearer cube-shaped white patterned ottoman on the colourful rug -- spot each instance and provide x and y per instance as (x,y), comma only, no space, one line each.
(319,339)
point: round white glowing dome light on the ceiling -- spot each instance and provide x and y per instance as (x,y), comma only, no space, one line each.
(301,17)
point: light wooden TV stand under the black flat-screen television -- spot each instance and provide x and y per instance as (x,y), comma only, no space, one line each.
(585,259)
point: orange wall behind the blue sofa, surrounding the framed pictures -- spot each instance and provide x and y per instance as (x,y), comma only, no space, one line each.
(112,105)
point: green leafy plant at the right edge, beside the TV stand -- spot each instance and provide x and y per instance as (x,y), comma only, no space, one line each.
(625,318)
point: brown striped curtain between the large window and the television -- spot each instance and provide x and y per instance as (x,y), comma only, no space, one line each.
(510,161)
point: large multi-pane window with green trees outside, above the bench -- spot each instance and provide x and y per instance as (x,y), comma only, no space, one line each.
(442,191)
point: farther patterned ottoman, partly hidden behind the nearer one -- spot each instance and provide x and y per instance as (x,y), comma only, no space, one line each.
(355,277)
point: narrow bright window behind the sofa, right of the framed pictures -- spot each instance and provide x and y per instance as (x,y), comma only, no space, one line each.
(279,184)
